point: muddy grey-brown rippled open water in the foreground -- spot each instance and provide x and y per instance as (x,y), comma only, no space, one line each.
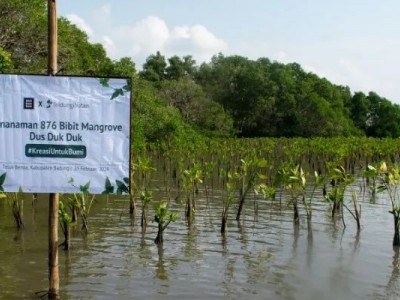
(263,257)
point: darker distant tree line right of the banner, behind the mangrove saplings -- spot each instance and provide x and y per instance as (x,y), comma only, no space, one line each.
(264,98)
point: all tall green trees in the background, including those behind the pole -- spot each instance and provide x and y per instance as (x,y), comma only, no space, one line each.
(174,98)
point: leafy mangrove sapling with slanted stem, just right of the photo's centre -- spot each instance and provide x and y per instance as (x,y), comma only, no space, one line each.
(247,174)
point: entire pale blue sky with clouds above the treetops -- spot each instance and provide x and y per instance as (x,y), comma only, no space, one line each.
(355,43)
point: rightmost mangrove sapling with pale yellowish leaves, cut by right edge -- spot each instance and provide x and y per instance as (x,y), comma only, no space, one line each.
(390,181)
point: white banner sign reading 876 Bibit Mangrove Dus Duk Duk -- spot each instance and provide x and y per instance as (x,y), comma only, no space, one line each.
(54,129)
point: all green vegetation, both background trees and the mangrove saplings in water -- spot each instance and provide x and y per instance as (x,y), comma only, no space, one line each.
(195,114)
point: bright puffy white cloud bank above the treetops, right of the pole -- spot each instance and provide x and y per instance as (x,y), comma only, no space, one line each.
(149,35)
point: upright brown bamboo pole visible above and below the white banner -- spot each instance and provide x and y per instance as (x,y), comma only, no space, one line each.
(54,279)
